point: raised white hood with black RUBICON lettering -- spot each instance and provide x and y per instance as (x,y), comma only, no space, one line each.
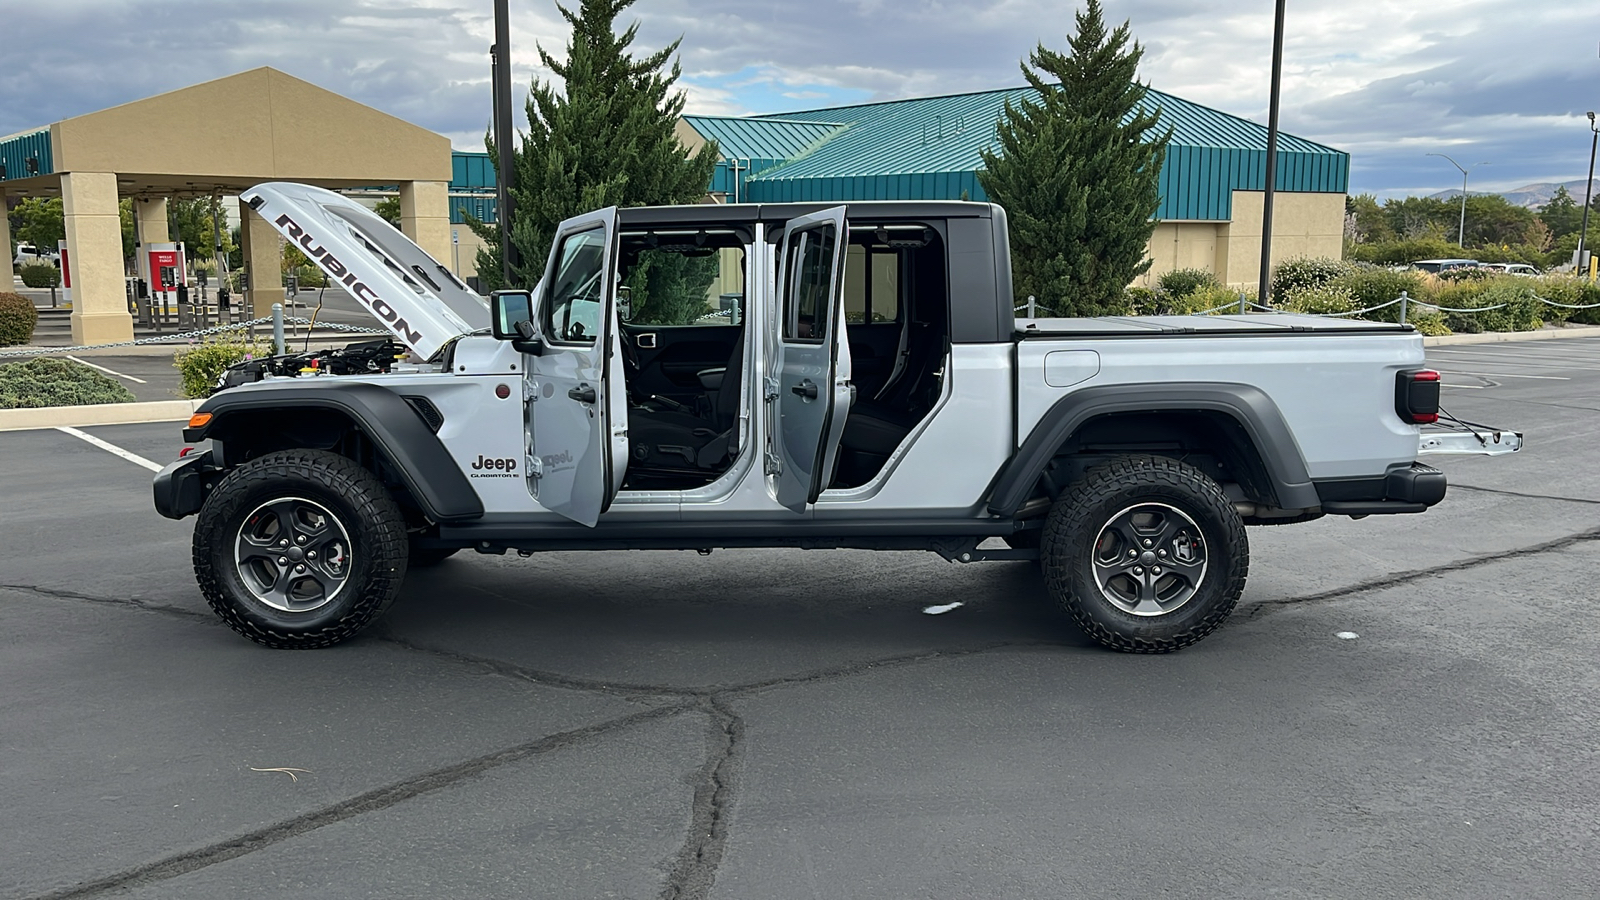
(414,295)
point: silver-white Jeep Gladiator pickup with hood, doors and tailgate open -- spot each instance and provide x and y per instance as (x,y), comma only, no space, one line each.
(785,377)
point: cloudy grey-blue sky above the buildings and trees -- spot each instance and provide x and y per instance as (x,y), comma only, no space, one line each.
(1503,82)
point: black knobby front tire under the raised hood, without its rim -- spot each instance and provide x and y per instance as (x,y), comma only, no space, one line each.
(361,505)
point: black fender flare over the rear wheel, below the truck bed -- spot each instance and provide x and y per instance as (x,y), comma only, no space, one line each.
(1246,404)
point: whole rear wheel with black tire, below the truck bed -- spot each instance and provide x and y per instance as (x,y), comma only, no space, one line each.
(1146,555)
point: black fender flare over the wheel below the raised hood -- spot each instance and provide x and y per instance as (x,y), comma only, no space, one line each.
(423,462)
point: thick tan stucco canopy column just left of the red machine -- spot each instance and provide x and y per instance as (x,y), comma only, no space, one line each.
(100,297)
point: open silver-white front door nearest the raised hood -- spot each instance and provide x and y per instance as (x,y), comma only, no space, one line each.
(574,433)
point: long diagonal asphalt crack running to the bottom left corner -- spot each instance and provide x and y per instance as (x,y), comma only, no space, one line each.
(380,798)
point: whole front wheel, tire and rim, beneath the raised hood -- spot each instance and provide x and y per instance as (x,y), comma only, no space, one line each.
(300,550)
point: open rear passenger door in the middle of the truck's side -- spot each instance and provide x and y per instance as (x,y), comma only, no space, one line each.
(809,387)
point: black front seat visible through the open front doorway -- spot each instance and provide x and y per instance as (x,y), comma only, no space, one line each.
(681,440)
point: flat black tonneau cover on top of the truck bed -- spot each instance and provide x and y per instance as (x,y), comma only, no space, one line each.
(1164,326)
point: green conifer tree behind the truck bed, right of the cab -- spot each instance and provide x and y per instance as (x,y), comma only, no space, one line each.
(1078,172)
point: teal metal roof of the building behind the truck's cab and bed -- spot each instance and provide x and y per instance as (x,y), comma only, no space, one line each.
(929,150)
